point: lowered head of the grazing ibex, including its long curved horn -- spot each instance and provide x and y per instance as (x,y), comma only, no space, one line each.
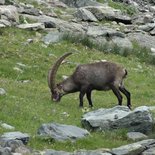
(56,89)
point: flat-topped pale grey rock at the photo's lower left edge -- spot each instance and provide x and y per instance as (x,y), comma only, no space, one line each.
(15,136)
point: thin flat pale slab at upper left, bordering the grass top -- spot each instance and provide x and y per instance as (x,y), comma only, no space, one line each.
(33,26)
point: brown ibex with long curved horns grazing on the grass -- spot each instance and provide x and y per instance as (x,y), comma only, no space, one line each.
(87,77)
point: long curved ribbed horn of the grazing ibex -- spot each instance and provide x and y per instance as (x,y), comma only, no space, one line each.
(53,71)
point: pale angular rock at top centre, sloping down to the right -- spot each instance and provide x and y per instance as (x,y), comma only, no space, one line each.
(85,15)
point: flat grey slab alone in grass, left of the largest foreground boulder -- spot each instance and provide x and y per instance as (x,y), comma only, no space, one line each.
(61,132)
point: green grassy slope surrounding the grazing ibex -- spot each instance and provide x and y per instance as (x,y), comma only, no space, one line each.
(27,105)
